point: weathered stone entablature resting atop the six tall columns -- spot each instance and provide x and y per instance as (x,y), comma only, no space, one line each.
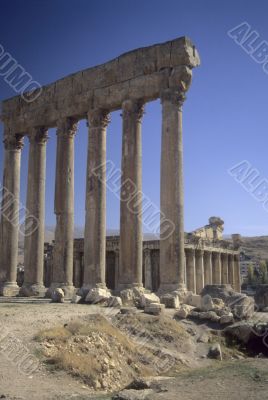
(140,74)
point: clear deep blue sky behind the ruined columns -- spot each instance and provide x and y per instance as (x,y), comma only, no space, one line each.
(225,114)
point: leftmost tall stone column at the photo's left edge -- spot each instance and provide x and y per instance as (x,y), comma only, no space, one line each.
(10,215)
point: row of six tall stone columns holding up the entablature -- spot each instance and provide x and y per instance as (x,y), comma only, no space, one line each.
(172,268)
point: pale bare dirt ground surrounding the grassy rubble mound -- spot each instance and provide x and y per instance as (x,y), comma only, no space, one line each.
(199,378)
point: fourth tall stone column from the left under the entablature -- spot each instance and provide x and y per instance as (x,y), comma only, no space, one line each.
(95,224)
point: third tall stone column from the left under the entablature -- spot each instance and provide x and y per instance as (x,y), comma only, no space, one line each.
(64,208)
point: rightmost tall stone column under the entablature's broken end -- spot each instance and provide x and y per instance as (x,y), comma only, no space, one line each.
(172,266)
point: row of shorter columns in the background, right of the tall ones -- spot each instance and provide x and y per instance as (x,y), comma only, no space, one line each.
(204,267)
